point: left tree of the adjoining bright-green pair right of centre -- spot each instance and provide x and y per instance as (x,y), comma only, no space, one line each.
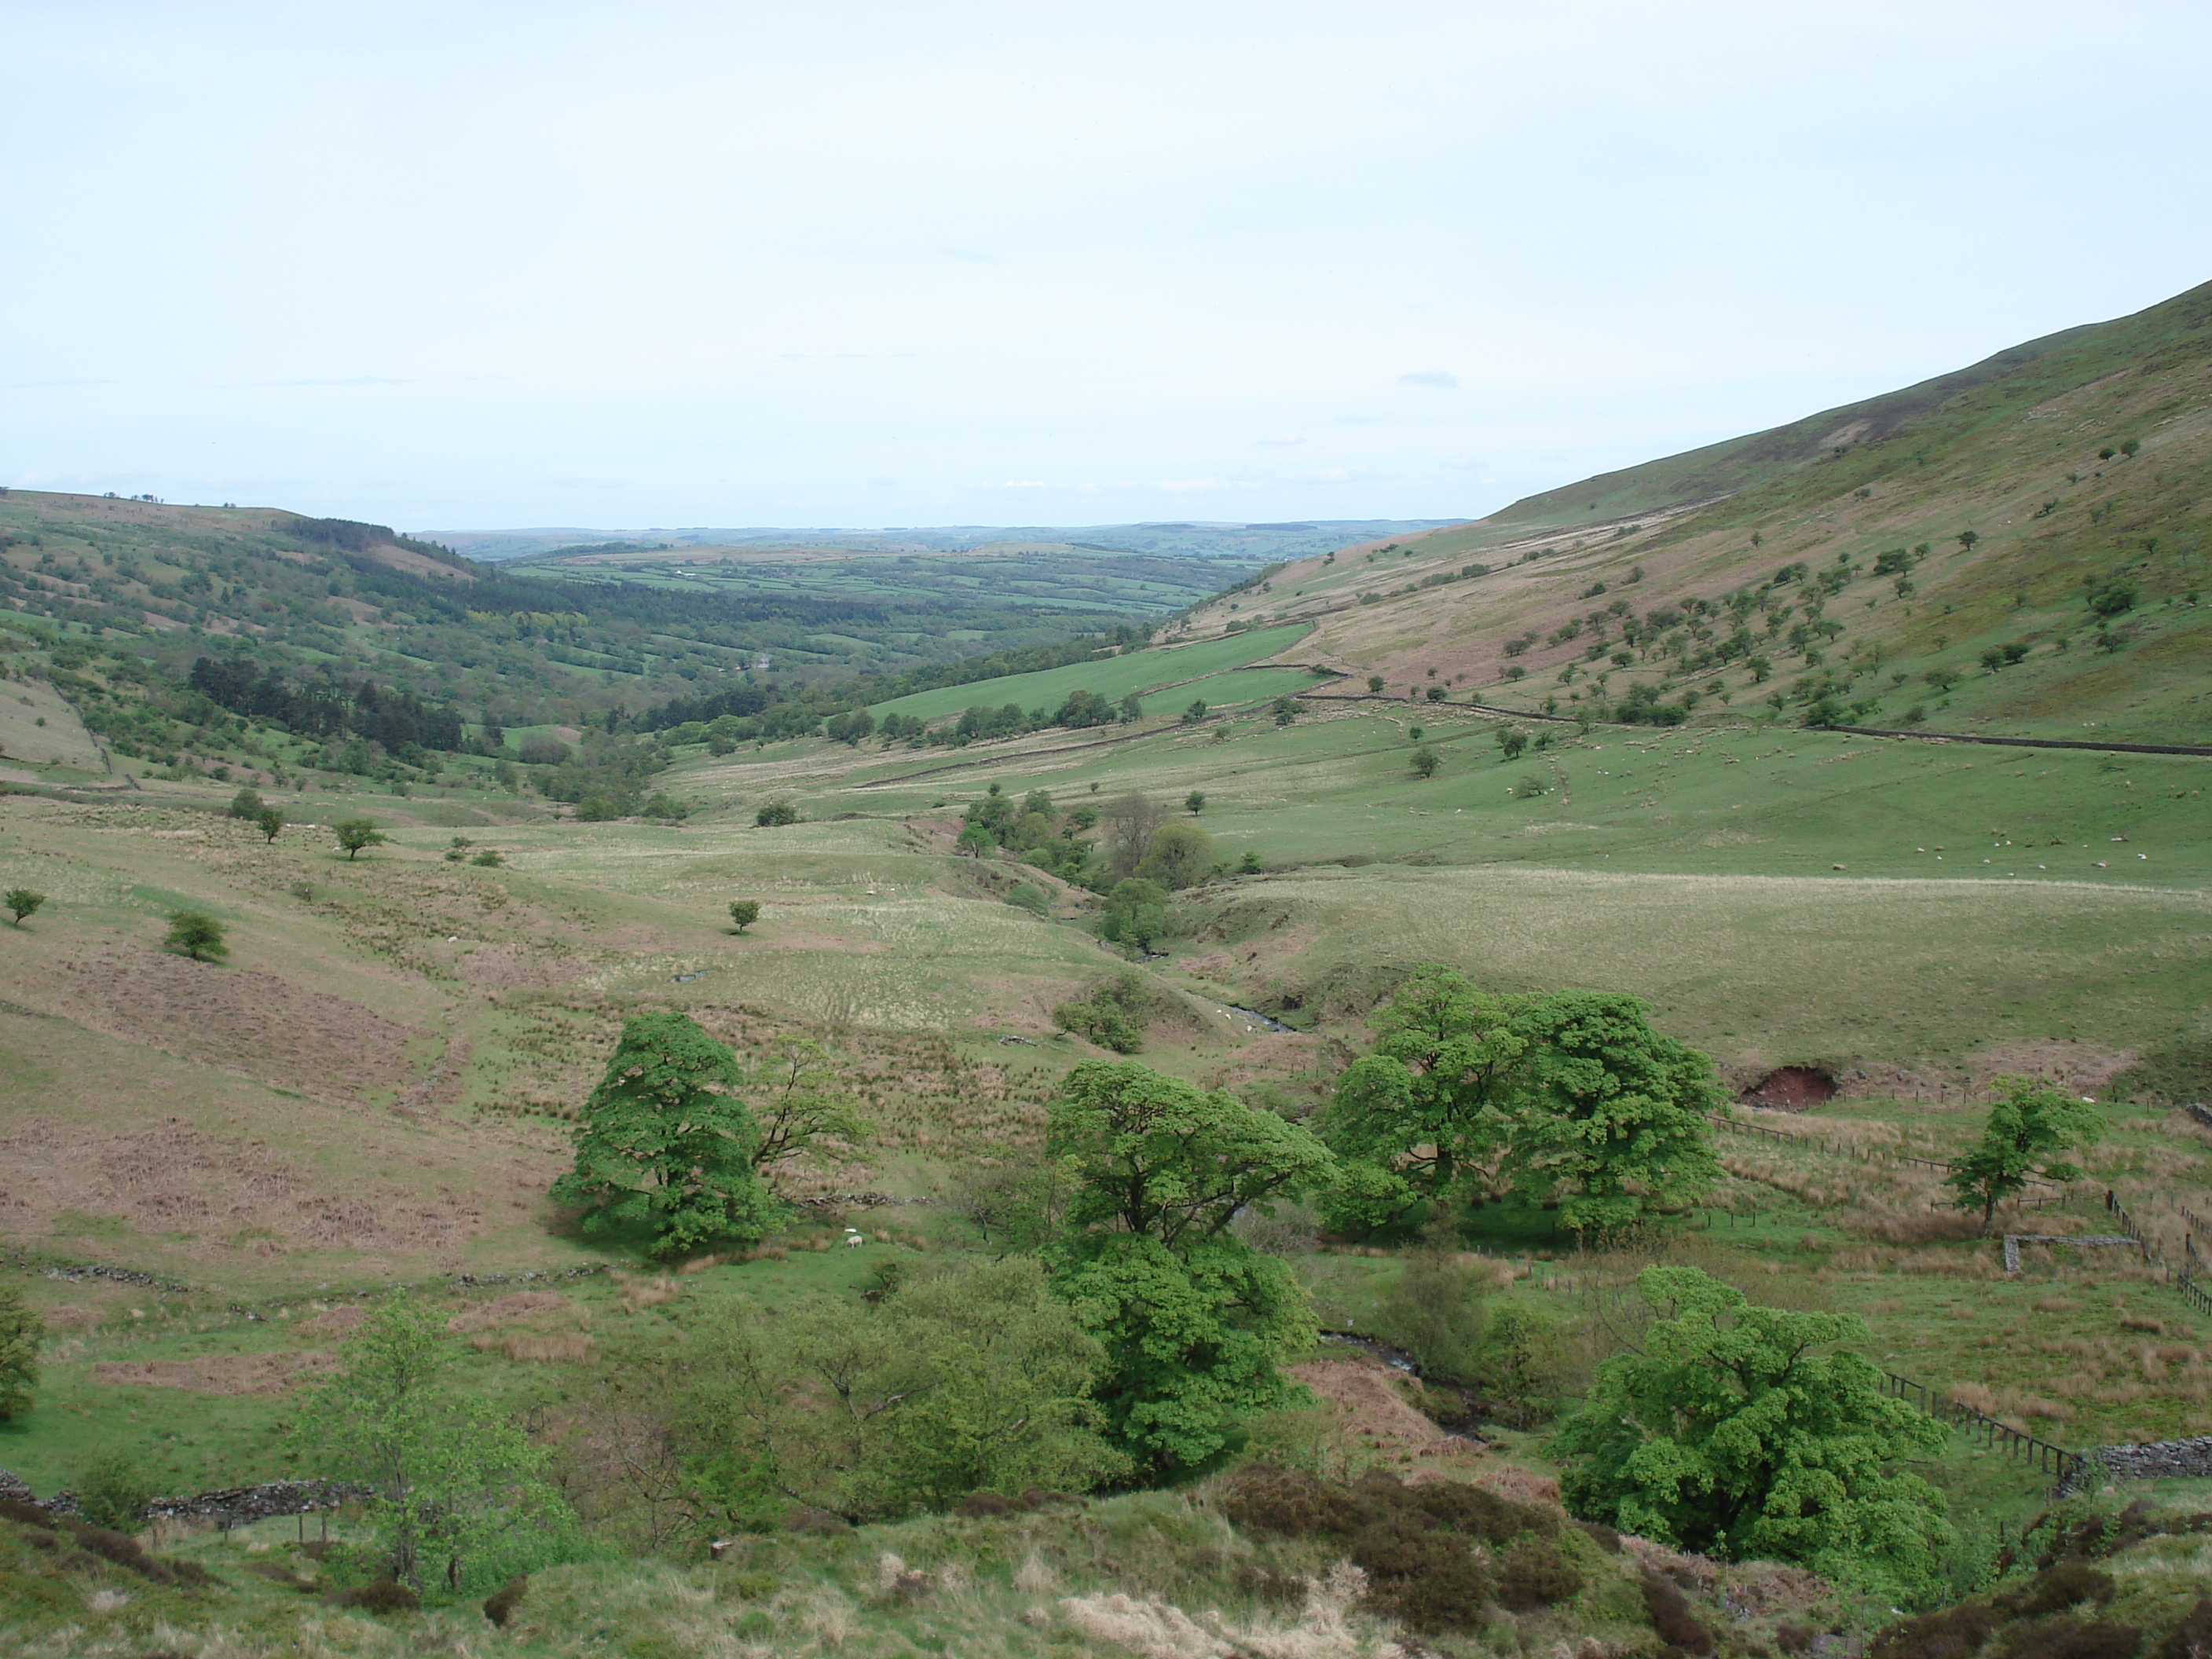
(1426,1112)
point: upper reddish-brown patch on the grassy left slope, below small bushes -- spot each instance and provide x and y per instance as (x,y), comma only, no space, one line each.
(244,1023)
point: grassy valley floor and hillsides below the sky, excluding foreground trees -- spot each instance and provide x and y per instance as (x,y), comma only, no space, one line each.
(1600,742)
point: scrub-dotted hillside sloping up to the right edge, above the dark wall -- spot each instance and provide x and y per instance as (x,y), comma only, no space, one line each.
(2018,547)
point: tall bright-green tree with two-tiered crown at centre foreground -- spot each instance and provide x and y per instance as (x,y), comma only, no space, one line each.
(1196,1322)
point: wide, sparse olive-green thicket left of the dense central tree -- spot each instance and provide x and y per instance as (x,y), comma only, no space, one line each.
(963,1381)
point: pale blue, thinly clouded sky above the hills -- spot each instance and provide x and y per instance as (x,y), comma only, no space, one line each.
(822,264)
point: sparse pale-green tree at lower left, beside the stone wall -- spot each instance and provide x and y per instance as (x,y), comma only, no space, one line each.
(459,1494)
